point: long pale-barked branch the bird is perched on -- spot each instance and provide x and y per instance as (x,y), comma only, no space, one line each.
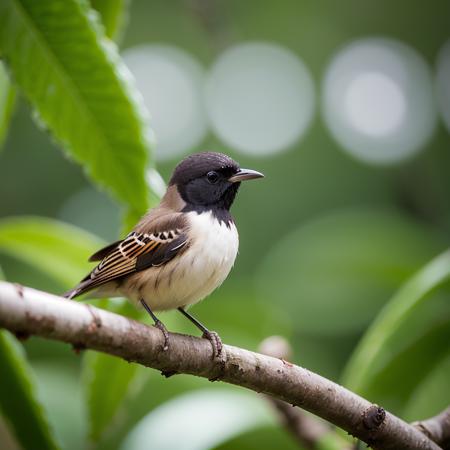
(26,311)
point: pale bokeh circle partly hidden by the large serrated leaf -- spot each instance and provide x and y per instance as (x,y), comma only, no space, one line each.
(171,82)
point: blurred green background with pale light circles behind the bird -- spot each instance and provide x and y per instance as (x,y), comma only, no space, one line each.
(345,107)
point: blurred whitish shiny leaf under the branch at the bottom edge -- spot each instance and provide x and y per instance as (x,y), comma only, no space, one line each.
(220,414)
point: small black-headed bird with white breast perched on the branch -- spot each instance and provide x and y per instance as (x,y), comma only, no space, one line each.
(181,250)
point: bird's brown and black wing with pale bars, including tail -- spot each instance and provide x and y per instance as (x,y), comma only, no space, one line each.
(138,251)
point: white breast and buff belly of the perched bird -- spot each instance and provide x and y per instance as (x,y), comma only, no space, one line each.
(196,272)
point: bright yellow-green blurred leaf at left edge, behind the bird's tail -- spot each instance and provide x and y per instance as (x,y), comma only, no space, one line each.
(58,249)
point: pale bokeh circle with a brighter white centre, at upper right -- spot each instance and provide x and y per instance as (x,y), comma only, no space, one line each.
(378,100)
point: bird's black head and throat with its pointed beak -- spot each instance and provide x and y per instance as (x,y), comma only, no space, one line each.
(209,181)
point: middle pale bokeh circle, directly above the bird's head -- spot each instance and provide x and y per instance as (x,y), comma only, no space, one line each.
(260,98)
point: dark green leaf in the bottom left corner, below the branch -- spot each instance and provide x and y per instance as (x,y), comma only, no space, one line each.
(18,398)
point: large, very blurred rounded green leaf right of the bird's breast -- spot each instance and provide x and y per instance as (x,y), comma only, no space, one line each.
(334,274)
